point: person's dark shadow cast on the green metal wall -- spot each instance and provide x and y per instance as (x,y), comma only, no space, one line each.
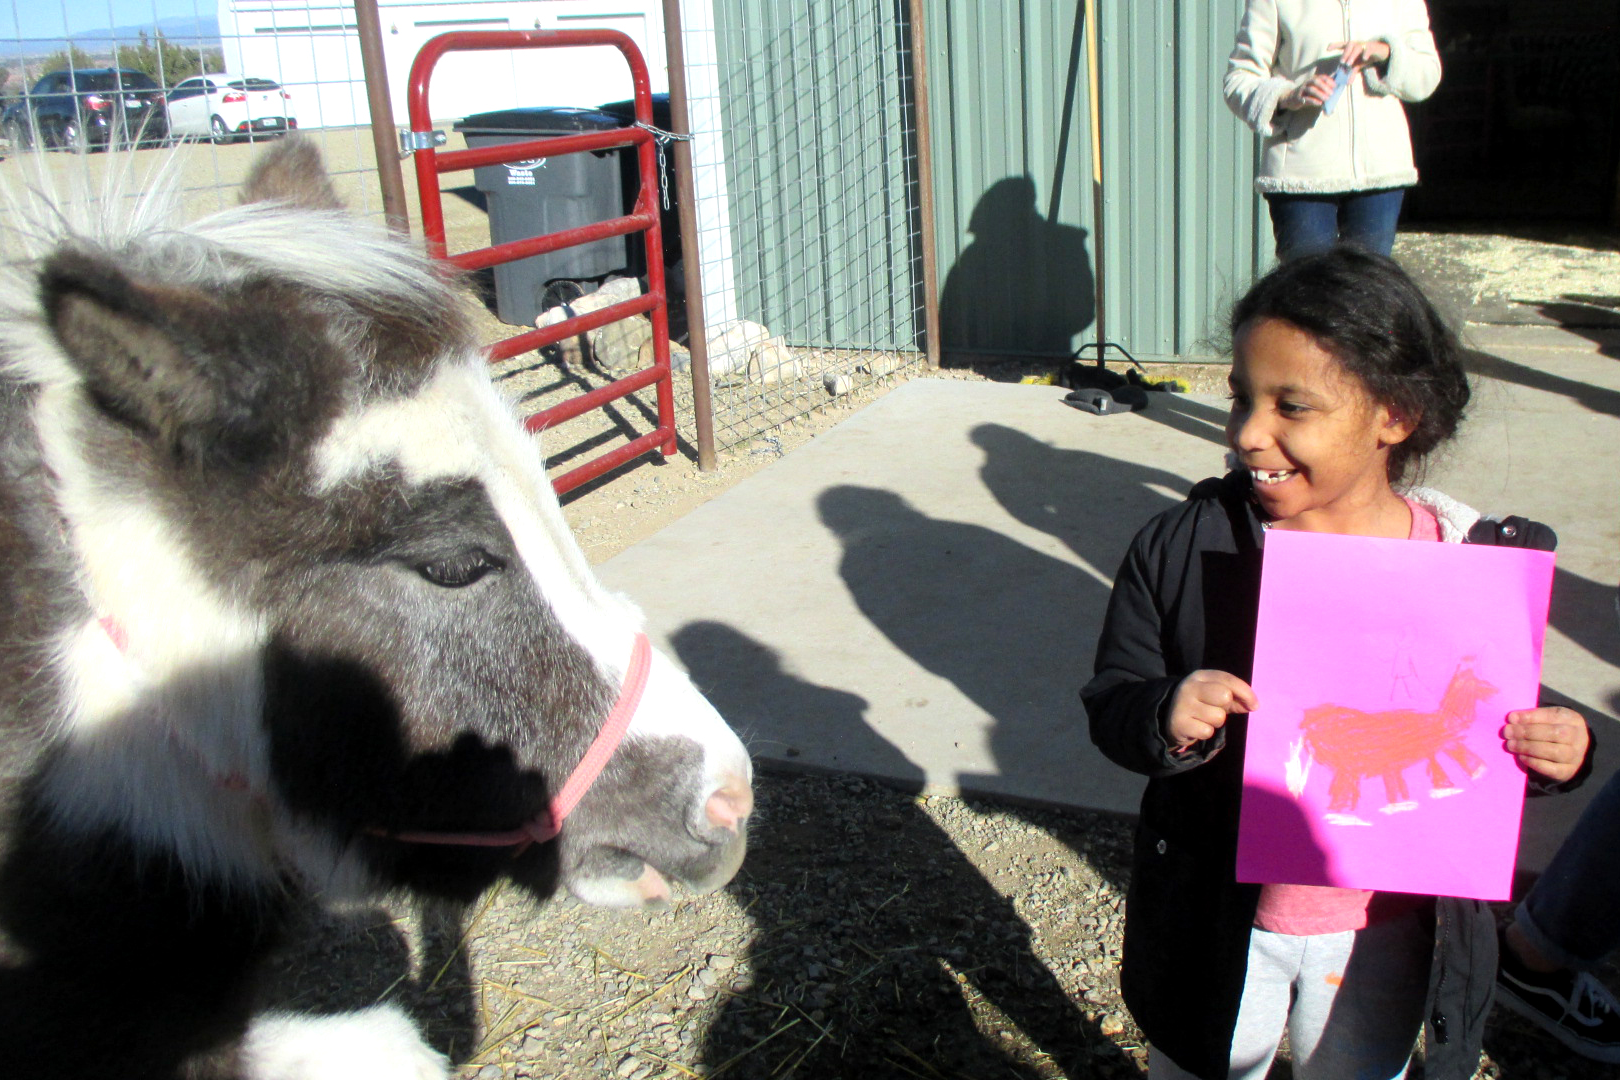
(1021,286)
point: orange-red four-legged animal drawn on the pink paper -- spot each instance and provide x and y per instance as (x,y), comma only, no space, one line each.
(1355,746)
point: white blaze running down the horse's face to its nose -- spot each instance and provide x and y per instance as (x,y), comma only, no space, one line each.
(459,427)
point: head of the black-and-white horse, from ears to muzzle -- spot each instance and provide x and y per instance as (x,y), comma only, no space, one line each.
(323,597)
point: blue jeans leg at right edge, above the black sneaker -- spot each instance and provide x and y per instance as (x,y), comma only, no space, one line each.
(1572,916)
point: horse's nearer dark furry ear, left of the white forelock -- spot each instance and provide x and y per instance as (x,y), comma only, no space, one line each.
(147,360)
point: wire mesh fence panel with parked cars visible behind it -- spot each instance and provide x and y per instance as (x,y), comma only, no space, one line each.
(187,85)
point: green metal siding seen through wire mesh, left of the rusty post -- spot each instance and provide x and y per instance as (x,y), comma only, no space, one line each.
(819,171)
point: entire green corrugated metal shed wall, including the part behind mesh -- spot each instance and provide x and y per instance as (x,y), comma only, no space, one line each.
(821,169)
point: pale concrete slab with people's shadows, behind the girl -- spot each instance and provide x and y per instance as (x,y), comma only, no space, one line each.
(916,595)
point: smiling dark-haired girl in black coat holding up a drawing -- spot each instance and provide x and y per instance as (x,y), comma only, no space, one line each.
(1344,380)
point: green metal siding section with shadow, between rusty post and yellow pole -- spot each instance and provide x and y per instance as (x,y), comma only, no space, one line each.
(1012,159)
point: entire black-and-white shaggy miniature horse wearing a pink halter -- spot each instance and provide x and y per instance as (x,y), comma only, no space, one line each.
(291,614)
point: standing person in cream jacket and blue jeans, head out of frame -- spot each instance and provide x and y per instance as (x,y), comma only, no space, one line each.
(1332,169)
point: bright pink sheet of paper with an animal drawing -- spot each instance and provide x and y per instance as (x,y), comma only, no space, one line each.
(1386,671)
